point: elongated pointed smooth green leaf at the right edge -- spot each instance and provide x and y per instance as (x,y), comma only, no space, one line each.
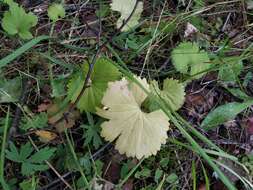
(224,113)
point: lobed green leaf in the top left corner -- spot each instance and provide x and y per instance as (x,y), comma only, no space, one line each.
(17,21)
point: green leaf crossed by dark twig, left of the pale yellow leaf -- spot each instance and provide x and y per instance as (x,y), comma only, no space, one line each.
(103,72)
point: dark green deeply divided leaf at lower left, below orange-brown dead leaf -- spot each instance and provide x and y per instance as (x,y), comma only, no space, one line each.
(30,162)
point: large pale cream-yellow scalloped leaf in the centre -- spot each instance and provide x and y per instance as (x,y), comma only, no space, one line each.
(138,134)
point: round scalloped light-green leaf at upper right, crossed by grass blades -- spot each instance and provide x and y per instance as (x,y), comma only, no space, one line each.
(187,58)
